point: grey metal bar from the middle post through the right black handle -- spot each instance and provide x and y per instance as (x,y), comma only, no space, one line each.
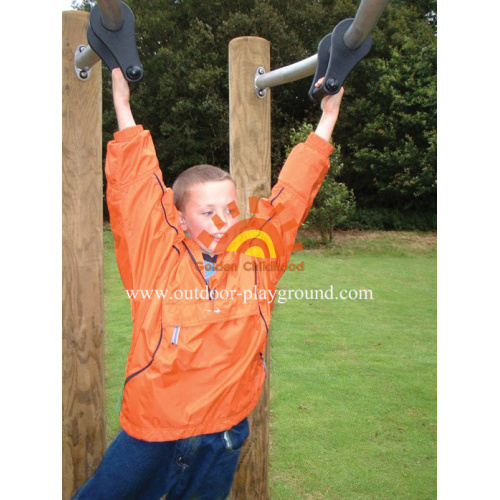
(367,16)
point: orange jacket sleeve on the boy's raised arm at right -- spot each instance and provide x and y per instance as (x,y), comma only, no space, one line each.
(293,195)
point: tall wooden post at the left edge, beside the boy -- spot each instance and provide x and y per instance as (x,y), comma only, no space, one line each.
(84,436)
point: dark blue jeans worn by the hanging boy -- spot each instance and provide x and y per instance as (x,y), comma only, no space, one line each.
(200,467)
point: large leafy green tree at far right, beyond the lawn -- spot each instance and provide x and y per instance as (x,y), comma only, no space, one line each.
(389,129)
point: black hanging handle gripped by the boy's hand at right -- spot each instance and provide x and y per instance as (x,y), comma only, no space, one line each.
(335,61)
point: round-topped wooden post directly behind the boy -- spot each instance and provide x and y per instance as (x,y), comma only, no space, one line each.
(250,167)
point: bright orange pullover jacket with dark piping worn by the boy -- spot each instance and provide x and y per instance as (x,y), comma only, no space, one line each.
(195,365)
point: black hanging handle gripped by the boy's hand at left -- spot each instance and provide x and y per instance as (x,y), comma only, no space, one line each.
(117,48)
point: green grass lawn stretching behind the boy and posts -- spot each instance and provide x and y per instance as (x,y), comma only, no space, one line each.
(353,382)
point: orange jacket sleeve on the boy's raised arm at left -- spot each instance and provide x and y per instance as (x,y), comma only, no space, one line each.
(143,217)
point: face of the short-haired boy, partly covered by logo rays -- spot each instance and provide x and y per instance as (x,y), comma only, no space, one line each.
(205,201)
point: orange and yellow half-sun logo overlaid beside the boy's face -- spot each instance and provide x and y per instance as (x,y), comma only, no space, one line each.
(253,236)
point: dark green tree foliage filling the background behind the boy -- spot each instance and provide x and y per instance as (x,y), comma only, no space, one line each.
(387,125)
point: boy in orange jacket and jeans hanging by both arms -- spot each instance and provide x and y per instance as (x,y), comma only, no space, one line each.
(196,367)
